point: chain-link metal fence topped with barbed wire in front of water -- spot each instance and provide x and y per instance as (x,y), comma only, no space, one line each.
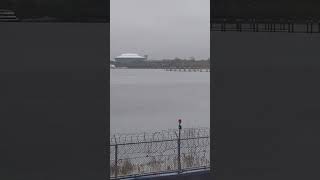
(133,155)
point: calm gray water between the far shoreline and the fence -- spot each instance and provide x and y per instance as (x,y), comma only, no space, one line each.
(153,100)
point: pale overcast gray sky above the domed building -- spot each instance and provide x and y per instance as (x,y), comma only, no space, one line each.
(160,28)
